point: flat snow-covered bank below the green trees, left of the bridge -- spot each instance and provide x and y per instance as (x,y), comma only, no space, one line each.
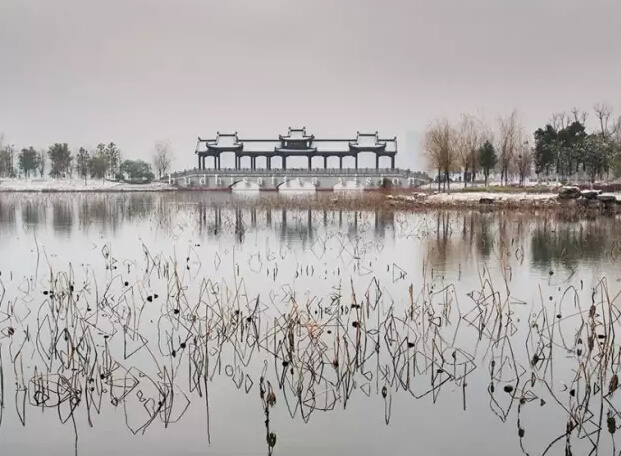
(78,185)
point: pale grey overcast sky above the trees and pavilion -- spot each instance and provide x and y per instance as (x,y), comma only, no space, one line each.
(136,72)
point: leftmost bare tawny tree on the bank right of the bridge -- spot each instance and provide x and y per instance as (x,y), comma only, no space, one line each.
(440,143)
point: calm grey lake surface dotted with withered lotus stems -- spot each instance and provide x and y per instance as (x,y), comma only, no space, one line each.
(178,324)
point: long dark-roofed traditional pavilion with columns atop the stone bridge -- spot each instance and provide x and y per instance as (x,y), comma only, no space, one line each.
(296,143)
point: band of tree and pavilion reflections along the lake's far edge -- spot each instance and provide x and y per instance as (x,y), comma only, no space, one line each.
(455,236)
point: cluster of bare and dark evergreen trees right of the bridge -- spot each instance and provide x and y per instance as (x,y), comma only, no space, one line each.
(563,150)
